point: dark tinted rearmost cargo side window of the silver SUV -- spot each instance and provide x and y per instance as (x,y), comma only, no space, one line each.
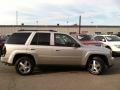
(18,38)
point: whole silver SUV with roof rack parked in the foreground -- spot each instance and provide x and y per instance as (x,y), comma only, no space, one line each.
(27,48)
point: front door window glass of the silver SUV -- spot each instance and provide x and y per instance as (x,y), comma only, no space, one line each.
(64,40)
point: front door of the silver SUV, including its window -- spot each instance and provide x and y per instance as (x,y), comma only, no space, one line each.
(64,50)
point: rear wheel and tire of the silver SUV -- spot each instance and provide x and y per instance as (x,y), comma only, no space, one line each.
(24,66)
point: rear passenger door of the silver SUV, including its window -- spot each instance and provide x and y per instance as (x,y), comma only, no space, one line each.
(40,46)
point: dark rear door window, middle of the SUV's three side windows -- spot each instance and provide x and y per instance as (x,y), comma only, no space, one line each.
(41,39)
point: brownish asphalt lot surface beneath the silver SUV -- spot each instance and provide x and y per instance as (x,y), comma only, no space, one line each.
(60,78)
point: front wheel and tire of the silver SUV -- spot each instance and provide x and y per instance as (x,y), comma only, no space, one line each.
(96,66)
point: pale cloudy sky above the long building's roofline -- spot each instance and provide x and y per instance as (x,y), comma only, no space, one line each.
(64,12)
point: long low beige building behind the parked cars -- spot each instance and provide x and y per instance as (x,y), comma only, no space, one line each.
(85,29)
